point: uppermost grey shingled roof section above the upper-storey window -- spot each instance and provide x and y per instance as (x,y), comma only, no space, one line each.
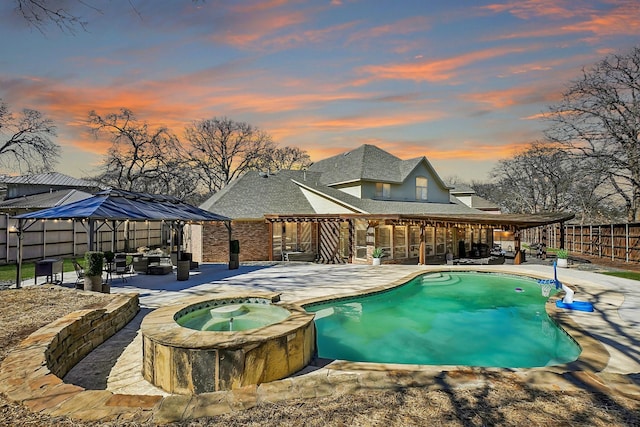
(368,163)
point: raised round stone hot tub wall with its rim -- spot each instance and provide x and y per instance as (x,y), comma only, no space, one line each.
(185,361)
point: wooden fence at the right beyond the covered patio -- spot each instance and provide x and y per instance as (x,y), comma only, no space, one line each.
(617,242)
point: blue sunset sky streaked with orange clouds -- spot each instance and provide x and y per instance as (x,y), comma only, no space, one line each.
(463,83)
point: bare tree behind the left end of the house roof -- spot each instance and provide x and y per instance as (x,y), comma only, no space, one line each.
(223,149)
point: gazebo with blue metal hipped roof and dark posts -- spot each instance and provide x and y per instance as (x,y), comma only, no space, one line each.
(117,206)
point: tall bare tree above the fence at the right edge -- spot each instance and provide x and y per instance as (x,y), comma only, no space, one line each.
(599,119)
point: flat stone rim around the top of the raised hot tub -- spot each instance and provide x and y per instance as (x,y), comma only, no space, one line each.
(161,327)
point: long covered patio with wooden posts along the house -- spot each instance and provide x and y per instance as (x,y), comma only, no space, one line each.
(423,239)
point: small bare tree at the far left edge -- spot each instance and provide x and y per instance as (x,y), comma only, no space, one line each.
(26,143)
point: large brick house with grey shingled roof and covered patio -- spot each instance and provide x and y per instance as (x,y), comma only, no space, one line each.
(344,206)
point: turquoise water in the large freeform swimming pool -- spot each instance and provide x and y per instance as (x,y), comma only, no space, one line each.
(461,318)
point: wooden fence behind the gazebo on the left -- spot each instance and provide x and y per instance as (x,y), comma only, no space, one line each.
(66,239)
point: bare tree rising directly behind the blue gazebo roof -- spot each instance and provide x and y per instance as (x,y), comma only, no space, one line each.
(143,159)
